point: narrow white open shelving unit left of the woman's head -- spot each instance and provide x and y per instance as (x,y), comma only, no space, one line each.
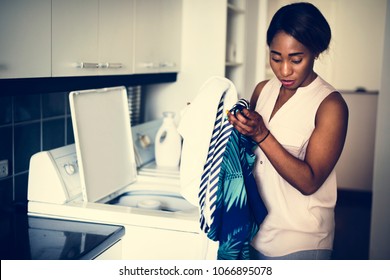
(235,43)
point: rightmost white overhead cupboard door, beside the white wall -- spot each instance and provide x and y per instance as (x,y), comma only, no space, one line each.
(157,38)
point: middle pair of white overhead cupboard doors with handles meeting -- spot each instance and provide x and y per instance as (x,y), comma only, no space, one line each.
(92,37)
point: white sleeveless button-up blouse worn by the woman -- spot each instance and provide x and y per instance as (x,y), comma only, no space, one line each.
(295,222)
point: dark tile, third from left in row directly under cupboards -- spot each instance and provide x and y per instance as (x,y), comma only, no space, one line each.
(53,104)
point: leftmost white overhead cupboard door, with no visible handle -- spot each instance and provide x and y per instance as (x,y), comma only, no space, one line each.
(25,40)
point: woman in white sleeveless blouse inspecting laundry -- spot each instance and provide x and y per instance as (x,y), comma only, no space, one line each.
(300,123)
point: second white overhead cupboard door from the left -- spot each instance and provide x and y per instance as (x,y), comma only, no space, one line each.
(74,37)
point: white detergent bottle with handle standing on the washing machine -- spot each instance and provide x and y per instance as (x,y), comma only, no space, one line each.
(168,143)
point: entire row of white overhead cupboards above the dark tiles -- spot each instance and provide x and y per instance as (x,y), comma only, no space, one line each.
(59,38)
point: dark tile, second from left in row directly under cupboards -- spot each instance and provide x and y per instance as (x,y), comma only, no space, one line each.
(27,107)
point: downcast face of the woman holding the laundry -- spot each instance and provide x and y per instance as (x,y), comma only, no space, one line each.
(291,62)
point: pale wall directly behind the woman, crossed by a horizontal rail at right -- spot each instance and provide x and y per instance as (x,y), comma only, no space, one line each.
(353,60)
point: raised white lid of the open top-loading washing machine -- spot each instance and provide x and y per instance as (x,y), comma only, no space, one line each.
(103,141)
